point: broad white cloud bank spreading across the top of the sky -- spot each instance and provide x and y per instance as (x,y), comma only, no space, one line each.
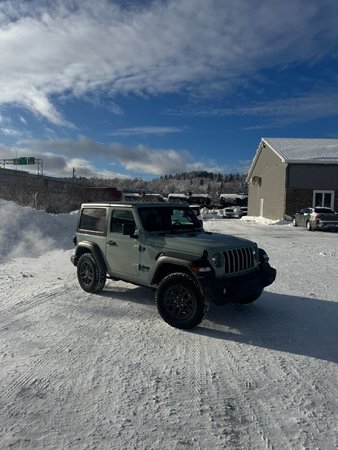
(49,49)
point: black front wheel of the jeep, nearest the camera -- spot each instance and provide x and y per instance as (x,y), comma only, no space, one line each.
(180,302)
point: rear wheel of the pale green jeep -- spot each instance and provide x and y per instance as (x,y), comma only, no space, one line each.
(90,276)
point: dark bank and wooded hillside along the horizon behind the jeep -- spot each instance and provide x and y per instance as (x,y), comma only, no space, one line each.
(66,194)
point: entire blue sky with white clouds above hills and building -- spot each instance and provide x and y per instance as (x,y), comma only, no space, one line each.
(147,88)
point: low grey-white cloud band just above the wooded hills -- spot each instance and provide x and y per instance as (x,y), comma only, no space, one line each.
(61,155)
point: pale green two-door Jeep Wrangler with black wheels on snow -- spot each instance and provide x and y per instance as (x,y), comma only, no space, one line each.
(164,246)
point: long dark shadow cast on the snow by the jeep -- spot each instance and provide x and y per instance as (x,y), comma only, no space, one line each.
(297,325)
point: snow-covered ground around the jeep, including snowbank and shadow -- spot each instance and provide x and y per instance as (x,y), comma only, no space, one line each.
(81,371)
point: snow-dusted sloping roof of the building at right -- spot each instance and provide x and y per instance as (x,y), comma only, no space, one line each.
(304,150)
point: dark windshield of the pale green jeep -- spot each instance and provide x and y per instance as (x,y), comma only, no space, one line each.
(168,219)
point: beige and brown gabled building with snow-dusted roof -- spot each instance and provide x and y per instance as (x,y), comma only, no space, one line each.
(288,174)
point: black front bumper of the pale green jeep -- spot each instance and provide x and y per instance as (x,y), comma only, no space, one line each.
(232,289)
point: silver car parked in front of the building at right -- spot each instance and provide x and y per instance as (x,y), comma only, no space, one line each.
(318,218)
